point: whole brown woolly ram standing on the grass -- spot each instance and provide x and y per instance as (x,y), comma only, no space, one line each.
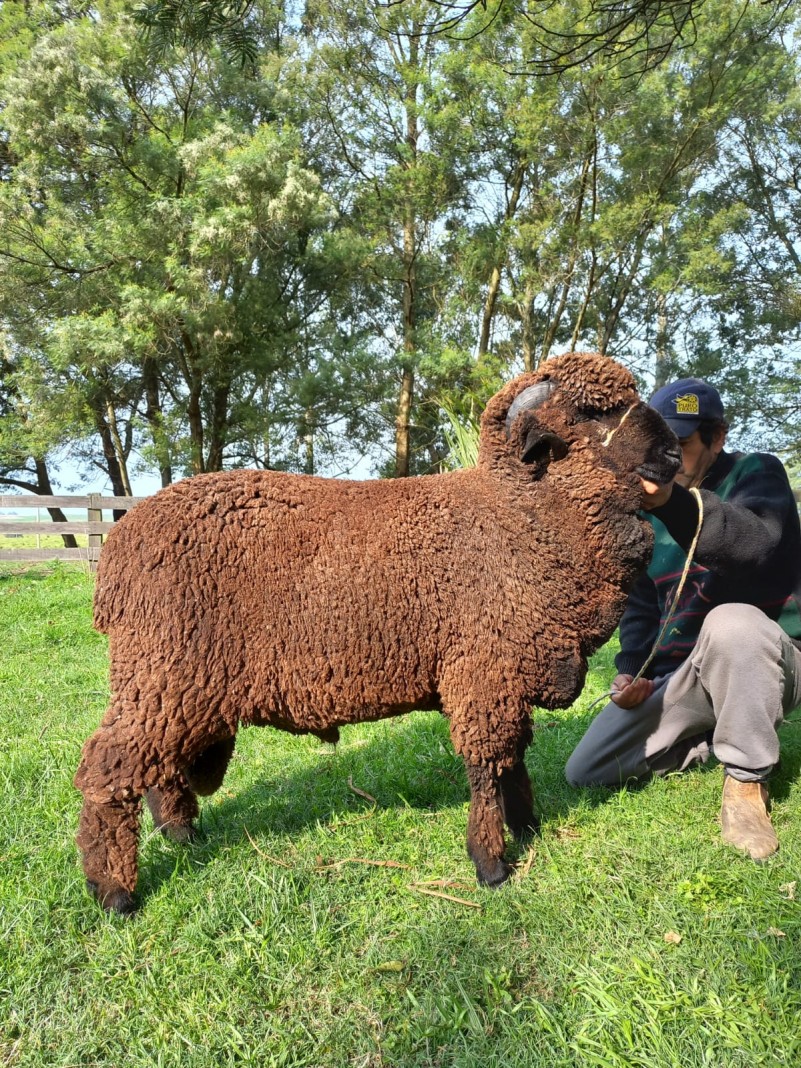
(254,598)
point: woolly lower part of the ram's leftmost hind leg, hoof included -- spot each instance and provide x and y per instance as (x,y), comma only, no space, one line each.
(108,836)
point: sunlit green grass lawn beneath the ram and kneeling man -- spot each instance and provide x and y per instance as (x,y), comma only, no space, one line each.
(631,936)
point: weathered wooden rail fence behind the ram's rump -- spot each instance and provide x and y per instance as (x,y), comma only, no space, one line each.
(95,526)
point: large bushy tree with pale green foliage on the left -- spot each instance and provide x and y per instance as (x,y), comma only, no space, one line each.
(202,253)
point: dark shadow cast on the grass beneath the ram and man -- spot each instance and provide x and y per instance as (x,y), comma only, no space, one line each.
(407,763)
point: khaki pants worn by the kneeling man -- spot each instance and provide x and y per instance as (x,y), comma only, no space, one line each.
(732,694)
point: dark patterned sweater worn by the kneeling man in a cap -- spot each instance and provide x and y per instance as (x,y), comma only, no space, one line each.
(749,552)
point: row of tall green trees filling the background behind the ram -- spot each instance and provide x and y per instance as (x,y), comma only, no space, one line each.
(211,263)
